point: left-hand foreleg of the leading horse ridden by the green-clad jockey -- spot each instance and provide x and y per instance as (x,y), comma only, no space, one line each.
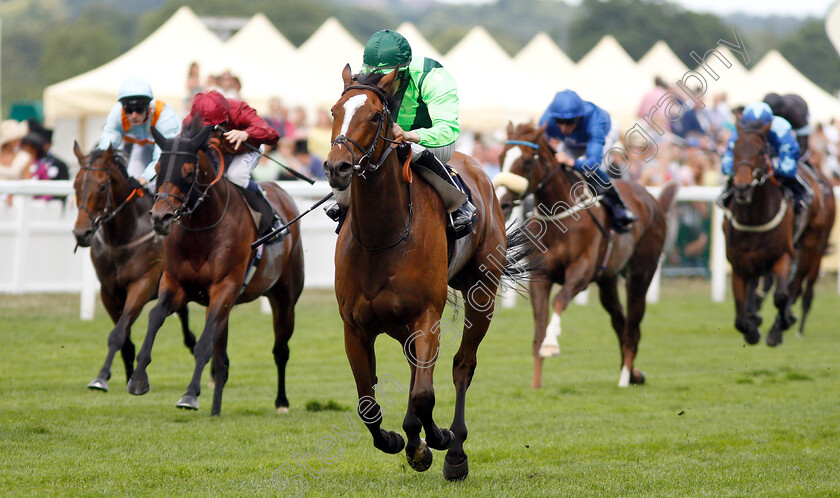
(362,358)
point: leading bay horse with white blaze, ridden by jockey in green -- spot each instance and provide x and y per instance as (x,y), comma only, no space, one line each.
(392,269)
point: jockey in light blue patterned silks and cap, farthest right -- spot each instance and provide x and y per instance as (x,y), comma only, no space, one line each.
(784,152)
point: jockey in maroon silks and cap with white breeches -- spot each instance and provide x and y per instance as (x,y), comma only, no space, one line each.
(236,124)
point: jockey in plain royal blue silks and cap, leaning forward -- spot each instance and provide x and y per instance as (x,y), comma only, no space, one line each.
(586,132)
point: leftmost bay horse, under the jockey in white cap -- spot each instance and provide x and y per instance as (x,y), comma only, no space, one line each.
(113,220)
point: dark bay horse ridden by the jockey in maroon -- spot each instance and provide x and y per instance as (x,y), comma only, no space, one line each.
(207,254)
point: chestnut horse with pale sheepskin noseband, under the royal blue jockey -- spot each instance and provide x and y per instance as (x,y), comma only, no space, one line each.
(577,246)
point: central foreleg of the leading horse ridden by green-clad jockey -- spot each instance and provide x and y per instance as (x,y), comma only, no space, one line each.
(422,350)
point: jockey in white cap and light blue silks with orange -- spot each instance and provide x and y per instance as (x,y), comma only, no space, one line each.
(128,123)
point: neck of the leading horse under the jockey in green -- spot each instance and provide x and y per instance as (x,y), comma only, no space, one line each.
(379,205)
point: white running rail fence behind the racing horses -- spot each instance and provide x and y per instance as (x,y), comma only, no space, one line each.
(36,243)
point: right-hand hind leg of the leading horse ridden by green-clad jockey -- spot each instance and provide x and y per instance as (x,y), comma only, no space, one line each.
(476,321)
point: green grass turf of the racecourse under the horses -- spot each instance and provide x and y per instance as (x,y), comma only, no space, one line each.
(716,417)
